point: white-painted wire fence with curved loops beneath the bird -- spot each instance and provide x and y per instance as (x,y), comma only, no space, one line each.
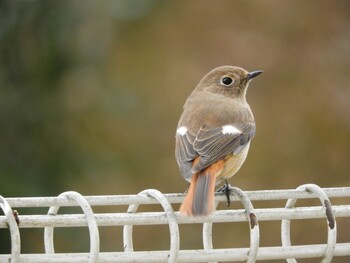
(131,217)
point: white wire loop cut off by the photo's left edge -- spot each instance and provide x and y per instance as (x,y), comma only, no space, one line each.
(14,231)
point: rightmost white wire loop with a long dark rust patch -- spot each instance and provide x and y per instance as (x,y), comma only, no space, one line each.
(332,226)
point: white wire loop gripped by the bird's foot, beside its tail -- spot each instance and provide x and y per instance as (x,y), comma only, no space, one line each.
(253,223)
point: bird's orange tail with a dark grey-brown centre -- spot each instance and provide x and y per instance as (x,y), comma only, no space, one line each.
(200,196)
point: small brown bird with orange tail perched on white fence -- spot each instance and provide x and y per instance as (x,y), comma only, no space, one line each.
(213,136)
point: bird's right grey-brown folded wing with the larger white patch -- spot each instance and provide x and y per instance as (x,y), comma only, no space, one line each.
(214,143)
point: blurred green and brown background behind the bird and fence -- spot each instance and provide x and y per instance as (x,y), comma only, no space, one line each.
(91,93)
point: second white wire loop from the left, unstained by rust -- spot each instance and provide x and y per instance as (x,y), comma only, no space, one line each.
(91,221)
